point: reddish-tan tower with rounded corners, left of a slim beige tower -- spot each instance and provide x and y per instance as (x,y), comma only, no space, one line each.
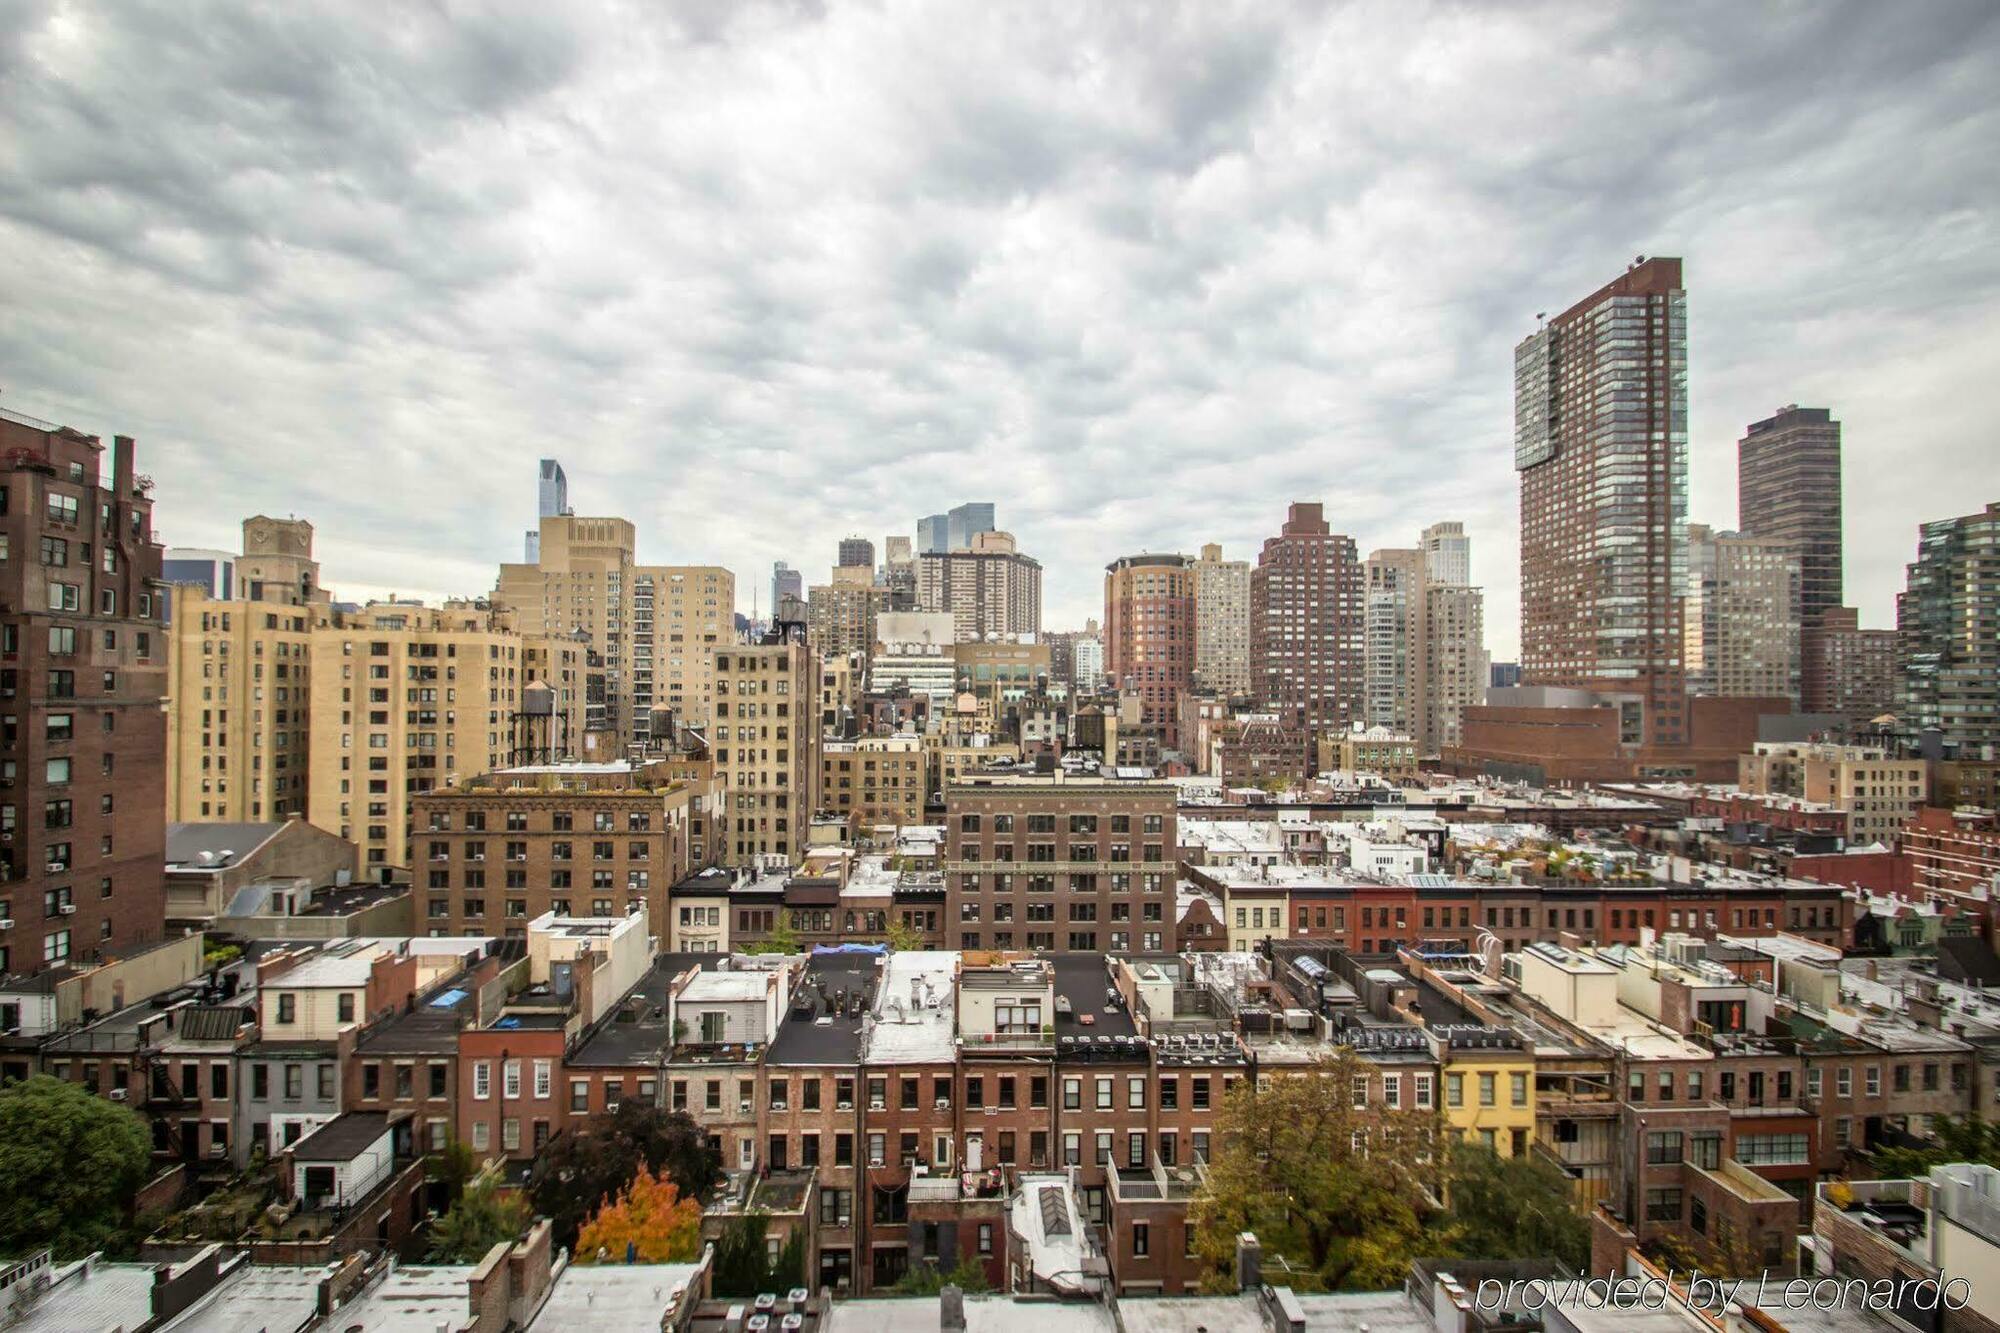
(1149,635)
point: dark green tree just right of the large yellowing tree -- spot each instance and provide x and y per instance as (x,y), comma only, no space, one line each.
(1513,1208)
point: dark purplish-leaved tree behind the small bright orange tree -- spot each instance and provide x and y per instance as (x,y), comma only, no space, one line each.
(587,1168)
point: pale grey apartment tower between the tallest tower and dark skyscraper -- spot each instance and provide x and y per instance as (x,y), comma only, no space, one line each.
(1743,615)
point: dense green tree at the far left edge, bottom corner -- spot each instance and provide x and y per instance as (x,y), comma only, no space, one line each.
(69,1168)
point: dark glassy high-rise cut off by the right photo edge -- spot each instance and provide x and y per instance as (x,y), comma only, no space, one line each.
(1949,621)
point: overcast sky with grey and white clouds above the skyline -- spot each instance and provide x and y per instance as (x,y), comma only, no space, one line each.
(1141,275)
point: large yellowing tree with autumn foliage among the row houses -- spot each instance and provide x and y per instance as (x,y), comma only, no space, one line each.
(1339,1196)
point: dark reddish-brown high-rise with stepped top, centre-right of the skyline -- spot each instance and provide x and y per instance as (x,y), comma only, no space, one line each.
(1307,623)
